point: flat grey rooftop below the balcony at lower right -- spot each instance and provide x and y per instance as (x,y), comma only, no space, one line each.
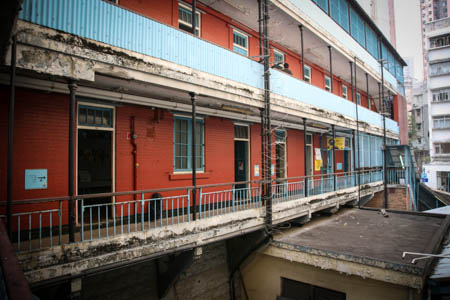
(366,237)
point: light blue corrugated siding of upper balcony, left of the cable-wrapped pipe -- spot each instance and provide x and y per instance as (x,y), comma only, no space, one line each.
(103,22)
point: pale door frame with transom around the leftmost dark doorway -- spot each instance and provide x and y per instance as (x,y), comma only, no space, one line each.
(113,150)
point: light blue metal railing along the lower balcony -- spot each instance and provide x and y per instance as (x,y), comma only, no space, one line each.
(42,223)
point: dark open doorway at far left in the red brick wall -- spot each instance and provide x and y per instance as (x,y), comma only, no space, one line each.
(95,164)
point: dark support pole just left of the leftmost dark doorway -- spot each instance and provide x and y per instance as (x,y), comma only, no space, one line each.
(72,111)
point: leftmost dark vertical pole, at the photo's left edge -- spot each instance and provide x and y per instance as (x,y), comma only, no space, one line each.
(11,137)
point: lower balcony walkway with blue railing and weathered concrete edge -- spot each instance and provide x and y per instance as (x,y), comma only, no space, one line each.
(138,231)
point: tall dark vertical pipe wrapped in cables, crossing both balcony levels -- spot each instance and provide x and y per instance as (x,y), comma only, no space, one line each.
(267,129)
